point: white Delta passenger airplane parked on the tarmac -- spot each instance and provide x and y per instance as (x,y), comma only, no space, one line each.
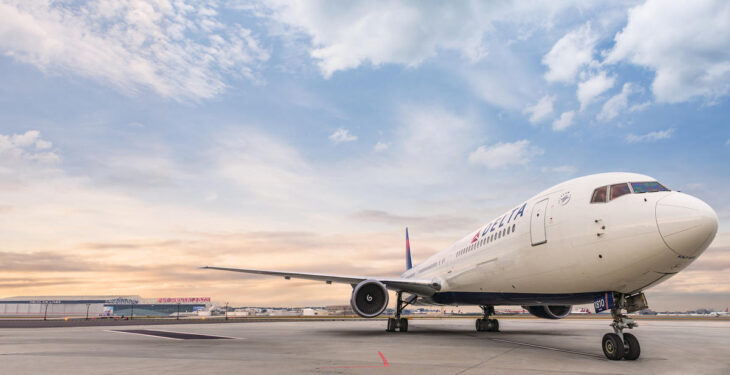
(602,238)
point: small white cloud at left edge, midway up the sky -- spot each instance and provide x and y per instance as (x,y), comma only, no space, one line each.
(26,147)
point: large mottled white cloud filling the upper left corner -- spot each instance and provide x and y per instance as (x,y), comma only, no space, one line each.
(178,50)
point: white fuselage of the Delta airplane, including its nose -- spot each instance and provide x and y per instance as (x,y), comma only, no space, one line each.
(559,248)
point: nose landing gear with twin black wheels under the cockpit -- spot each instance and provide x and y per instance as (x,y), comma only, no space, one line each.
(619,345)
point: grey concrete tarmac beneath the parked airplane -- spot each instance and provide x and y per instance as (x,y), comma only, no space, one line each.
(449,346)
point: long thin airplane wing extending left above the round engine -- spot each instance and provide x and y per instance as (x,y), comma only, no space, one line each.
(413,286)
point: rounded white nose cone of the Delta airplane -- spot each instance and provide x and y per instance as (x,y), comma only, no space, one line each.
(686,224)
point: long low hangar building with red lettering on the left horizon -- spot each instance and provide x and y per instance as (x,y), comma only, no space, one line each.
(103,306)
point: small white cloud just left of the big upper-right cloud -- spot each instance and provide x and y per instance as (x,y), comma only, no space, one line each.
(569,54)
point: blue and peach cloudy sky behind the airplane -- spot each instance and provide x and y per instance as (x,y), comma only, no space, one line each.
(142,139)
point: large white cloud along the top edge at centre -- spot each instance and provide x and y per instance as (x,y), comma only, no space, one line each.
(346,35)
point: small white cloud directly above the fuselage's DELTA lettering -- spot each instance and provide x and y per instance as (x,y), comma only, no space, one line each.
(505,154)
